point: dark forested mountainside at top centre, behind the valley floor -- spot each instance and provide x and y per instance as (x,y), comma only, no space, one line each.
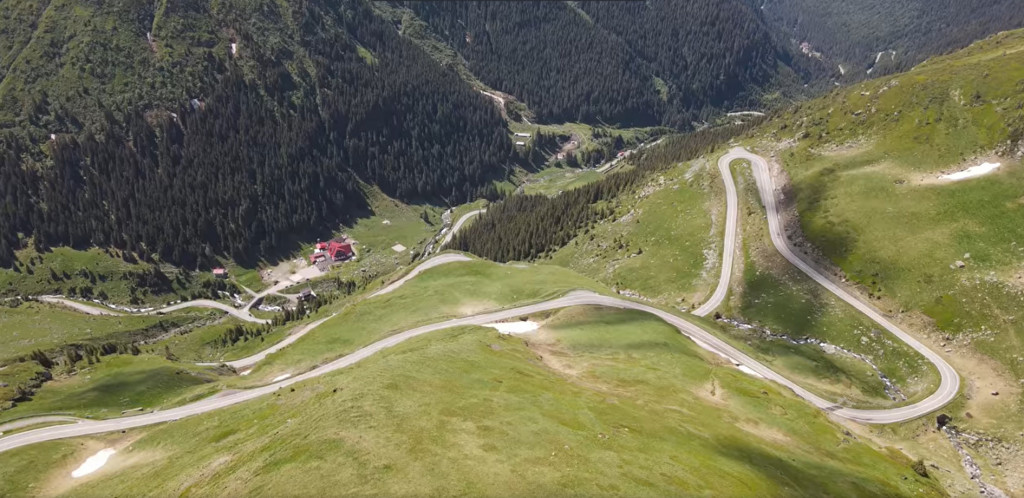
(620,63)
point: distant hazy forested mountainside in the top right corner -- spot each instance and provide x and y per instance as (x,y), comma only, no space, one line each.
(887,36)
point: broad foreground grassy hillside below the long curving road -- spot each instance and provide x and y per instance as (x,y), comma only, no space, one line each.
(622,404)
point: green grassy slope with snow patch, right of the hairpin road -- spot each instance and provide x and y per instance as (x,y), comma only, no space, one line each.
(864,176)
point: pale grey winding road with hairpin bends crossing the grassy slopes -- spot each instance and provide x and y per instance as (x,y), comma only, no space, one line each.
(948,390)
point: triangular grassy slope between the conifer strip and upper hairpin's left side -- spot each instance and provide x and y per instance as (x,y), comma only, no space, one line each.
(659,242)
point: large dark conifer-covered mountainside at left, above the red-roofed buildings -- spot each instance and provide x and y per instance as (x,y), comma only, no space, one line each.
(199,129)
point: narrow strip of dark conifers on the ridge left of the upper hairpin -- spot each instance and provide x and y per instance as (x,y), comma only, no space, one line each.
(526,228)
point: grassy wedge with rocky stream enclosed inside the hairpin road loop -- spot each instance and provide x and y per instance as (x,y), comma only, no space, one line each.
(773,294)
